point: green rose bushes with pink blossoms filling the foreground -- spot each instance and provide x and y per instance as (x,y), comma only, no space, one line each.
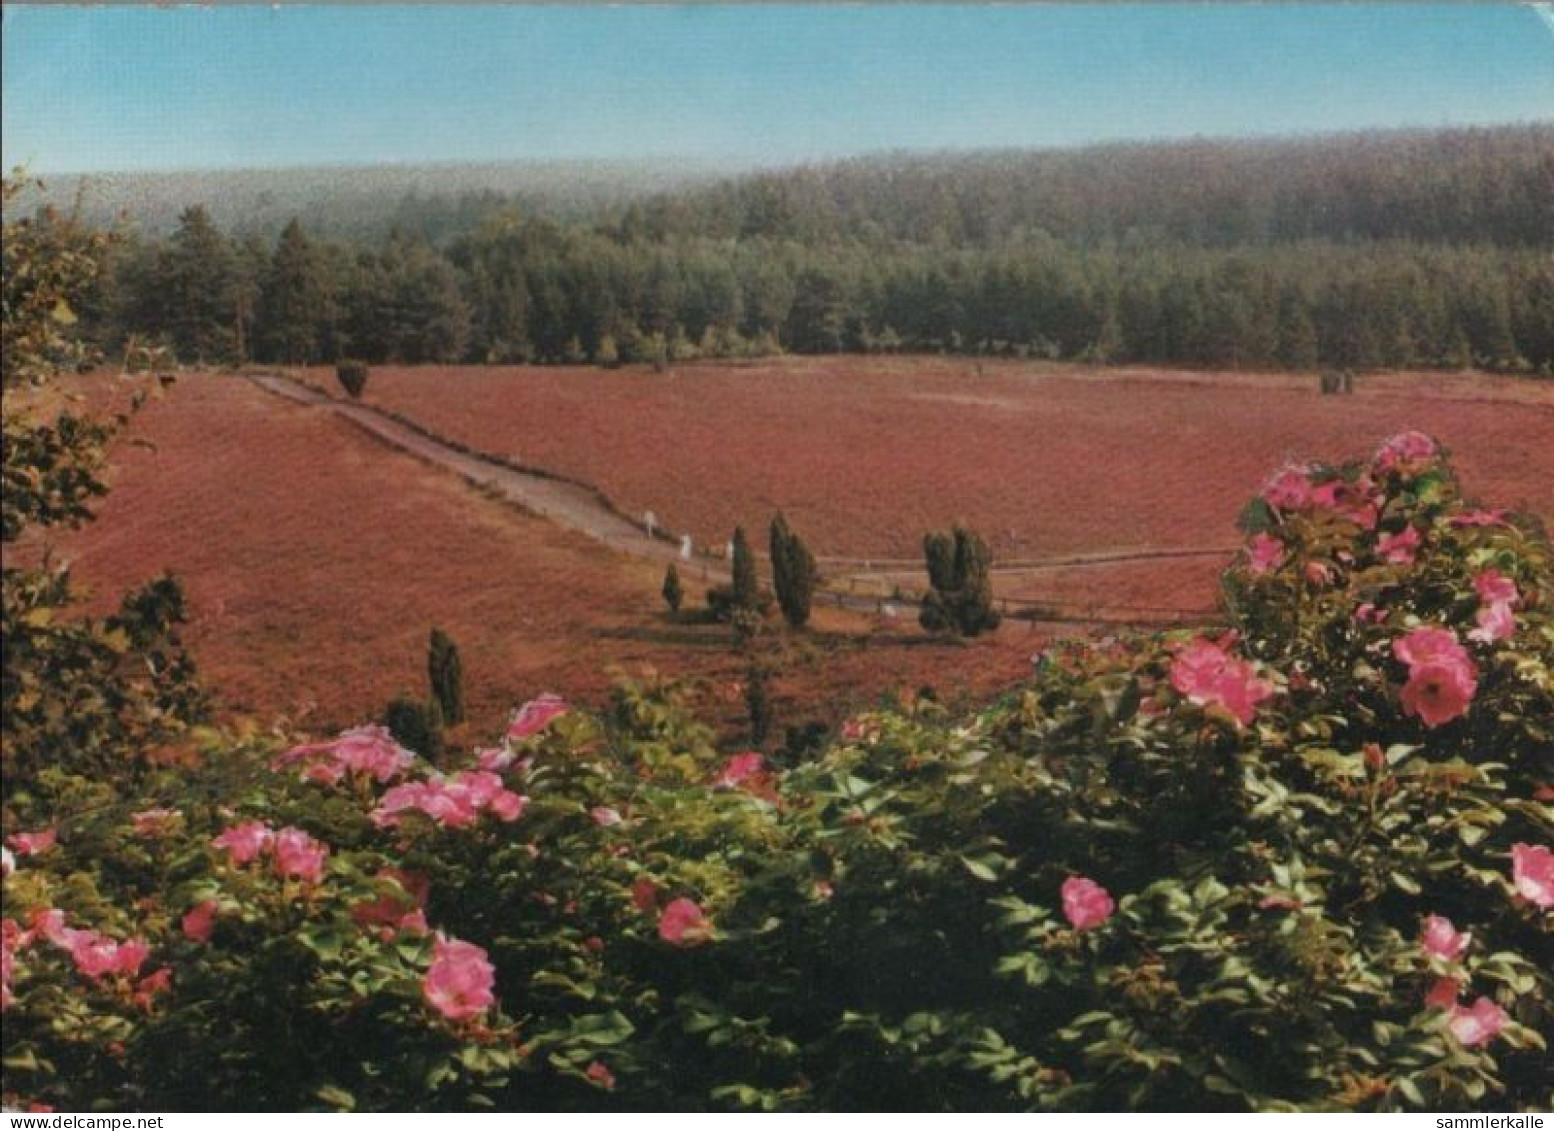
(1300,865)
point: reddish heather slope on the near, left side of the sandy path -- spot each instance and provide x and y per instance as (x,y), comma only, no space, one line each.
(316,560)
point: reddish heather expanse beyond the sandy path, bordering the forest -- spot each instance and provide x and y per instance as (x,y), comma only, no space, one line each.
(866,454)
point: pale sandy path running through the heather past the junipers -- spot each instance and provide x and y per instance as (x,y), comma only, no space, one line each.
(880,586)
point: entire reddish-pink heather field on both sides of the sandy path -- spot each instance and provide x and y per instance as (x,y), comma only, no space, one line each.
(318,559)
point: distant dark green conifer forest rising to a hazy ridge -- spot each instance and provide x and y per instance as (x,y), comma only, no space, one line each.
(1412,249)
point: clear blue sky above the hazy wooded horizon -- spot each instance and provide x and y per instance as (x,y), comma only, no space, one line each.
(91,89)
